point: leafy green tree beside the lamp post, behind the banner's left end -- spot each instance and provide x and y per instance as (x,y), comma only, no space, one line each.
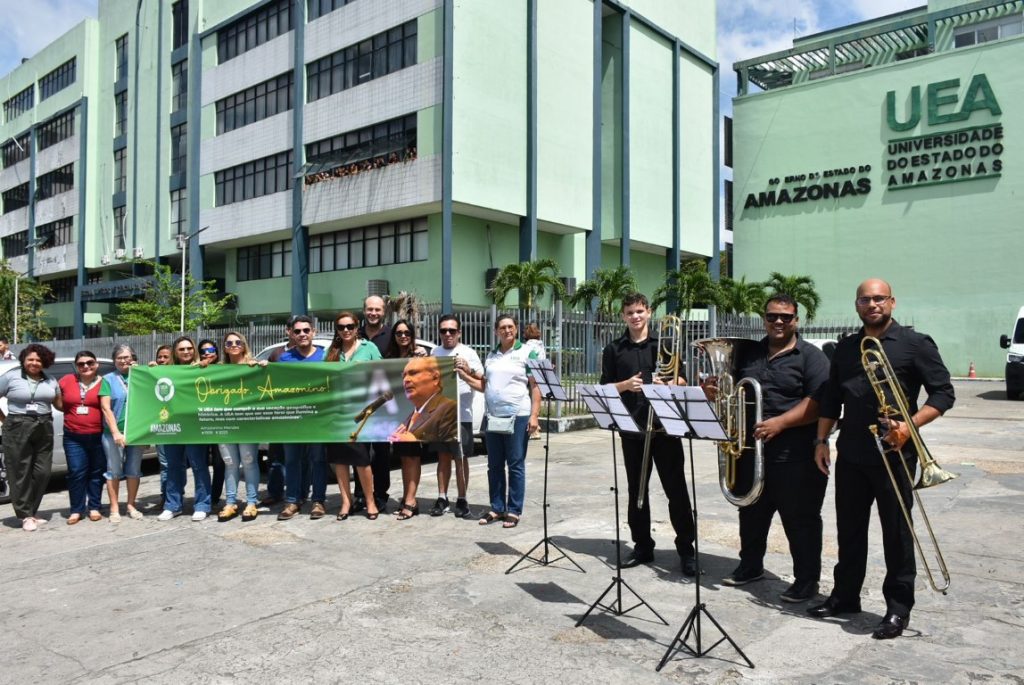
(160,307)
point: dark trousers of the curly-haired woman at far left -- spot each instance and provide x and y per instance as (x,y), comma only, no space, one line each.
(28,447)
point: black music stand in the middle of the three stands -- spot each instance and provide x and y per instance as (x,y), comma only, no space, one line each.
(608,408)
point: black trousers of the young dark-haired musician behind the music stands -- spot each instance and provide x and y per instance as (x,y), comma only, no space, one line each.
(667,457)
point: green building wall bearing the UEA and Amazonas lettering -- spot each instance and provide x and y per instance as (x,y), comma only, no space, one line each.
(888,150)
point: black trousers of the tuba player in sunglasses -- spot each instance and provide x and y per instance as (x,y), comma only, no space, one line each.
(796,491)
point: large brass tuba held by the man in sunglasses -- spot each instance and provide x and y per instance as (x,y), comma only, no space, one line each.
(732,405)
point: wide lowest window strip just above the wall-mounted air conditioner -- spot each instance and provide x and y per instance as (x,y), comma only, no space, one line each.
(396,243)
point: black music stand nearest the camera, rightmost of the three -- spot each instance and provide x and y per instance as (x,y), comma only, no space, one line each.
(686,412)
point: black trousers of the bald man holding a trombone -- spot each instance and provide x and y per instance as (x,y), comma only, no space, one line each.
(858,487)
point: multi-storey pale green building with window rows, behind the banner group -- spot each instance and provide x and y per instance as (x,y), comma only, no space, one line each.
(309,153)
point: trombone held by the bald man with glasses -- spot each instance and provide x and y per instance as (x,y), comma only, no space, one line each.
(894,407)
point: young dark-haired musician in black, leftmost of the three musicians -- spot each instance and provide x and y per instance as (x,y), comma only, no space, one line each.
(630,363)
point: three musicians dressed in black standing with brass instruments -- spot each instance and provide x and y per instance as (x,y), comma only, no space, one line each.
(803,397)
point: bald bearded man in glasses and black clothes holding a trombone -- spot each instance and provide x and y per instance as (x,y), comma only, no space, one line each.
(861,476)
